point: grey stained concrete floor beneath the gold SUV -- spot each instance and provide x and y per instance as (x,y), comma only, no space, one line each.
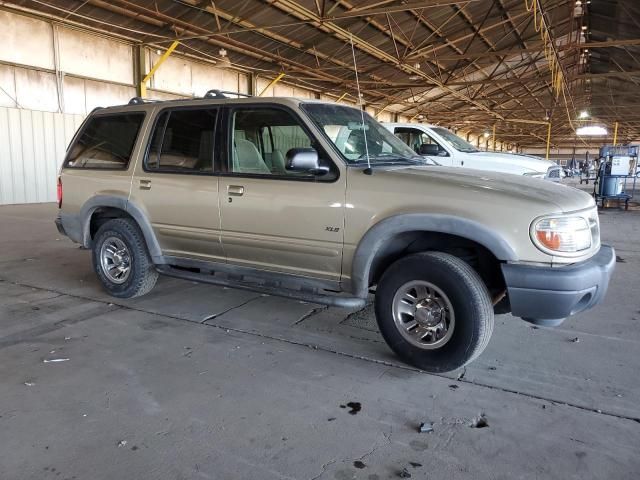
(193,381)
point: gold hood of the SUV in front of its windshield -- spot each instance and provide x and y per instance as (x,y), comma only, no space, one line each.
(484,183)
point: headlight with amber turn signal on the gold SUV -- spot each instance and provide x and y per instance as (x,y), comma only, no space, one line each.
(569,234)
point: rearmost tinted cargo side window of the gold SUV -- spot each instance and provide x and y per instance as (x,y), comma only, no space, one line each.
(106,141)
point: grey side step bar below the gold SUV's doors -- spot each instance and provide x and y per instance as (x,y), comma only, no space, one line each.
(306,296)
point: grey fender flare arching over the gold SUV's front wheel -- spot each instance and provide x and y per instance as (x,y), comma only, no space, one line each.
(382,232)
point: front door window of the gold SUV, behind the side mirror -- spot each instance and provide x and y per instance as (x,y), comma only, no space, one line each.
(261,138)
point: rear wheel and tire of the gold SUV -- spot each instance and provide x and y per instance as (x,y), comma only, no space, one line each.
(130,272)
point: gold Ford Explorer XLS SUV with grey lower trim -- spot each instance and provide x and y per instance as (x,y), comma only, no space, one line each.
(319,202)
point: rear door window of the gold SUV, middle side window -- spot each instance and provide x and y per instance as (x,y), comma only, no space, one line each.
(182,142)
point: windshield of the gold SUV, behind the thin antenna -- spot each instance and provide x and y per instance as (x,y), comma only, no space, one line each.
(343,127)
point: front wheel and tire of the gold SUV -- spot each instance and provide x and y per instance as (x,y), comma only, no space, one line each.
(450,292)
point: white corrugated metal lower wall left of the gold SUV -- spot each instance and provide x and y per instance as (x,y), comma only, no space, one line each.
(32,147)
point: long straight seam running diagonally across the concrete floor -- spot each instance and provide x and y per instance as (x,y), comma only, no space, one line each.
(344,354)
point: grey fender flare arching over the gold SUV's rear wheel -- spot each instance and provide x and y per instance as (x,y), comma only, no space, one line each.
(122,203)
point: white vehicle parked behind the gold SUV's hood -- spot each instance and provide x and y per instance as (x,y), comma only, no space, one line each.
(453,151)
